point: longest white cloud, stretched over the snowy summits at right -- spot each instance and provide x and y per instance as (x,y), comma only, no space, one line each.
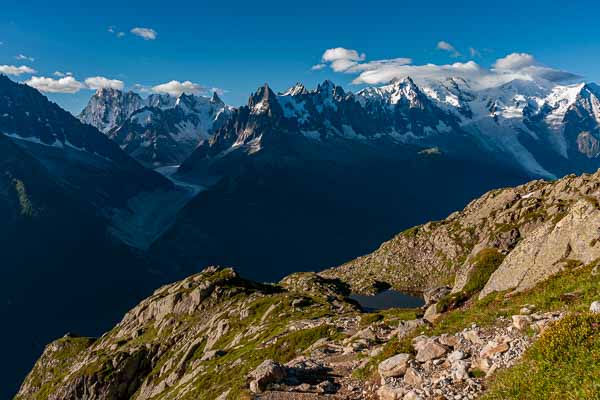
(513,66)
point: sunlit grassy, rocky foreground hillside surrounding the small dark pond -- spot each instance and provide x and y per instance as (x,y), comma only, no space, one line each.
(512,291)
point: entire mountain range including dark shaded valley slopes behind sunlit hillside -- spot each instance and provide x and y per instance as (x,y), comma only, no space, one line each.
(151,189)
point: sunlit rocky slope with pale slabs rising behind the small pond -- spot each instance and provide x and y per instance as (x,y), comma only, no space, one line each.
(516,237)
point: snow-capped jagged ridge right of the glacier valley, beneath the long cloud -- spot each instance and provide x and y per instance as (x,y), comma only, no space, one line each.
(547,130)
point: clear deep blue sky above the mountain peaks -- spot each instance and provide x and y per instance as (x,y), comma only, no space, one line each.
(238,45)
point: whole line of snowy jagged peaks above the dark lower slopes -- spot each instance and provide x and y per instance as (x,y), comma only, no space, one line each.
(539,127)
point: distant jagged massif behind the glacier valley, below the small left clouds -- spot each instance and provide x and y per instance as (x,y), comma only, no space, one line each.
(159,130)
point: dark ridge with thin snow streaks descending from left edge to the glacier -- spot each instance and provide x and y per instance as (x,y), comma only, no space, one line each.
(77,154)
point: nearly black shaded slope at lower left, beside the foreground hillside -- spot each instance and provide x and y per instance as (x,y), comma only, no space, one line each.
(58,263)
